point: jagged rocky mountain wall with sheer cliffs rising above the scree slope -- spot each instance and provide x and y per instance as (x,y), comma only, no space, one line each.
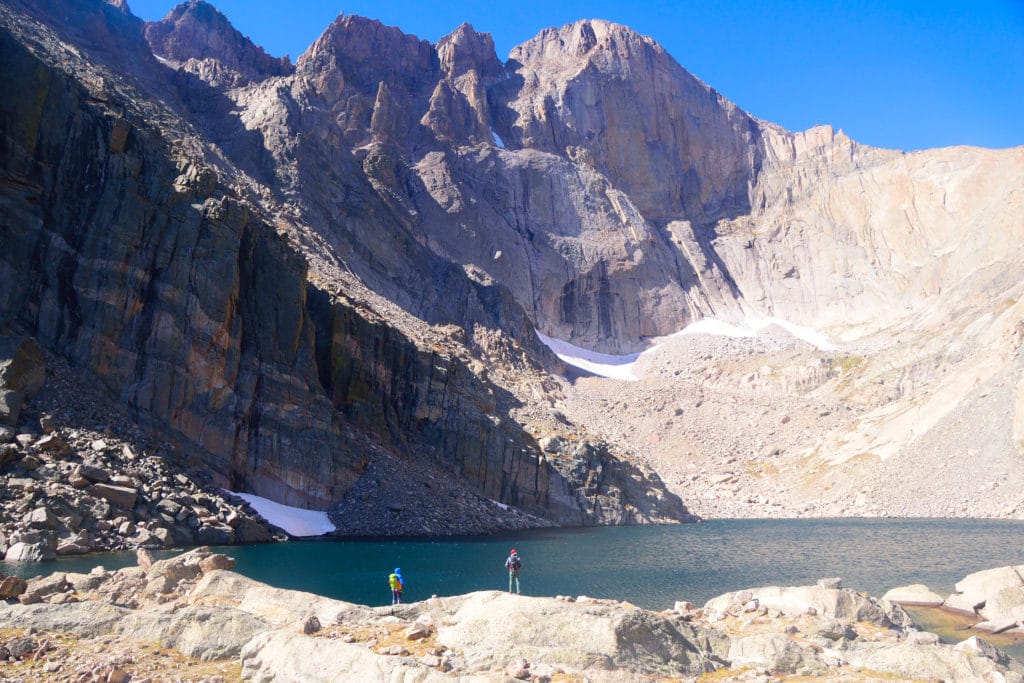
(326,278)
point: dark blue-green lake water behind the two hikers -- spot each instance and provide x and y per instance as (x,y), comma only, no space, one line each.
(651,567)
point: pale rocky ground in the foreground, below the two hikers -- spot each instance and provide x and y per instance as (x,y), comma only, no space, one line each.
(191,619)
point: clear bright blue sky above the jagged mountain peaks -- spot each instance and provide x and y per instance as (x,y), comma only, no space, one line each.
(907,75)
